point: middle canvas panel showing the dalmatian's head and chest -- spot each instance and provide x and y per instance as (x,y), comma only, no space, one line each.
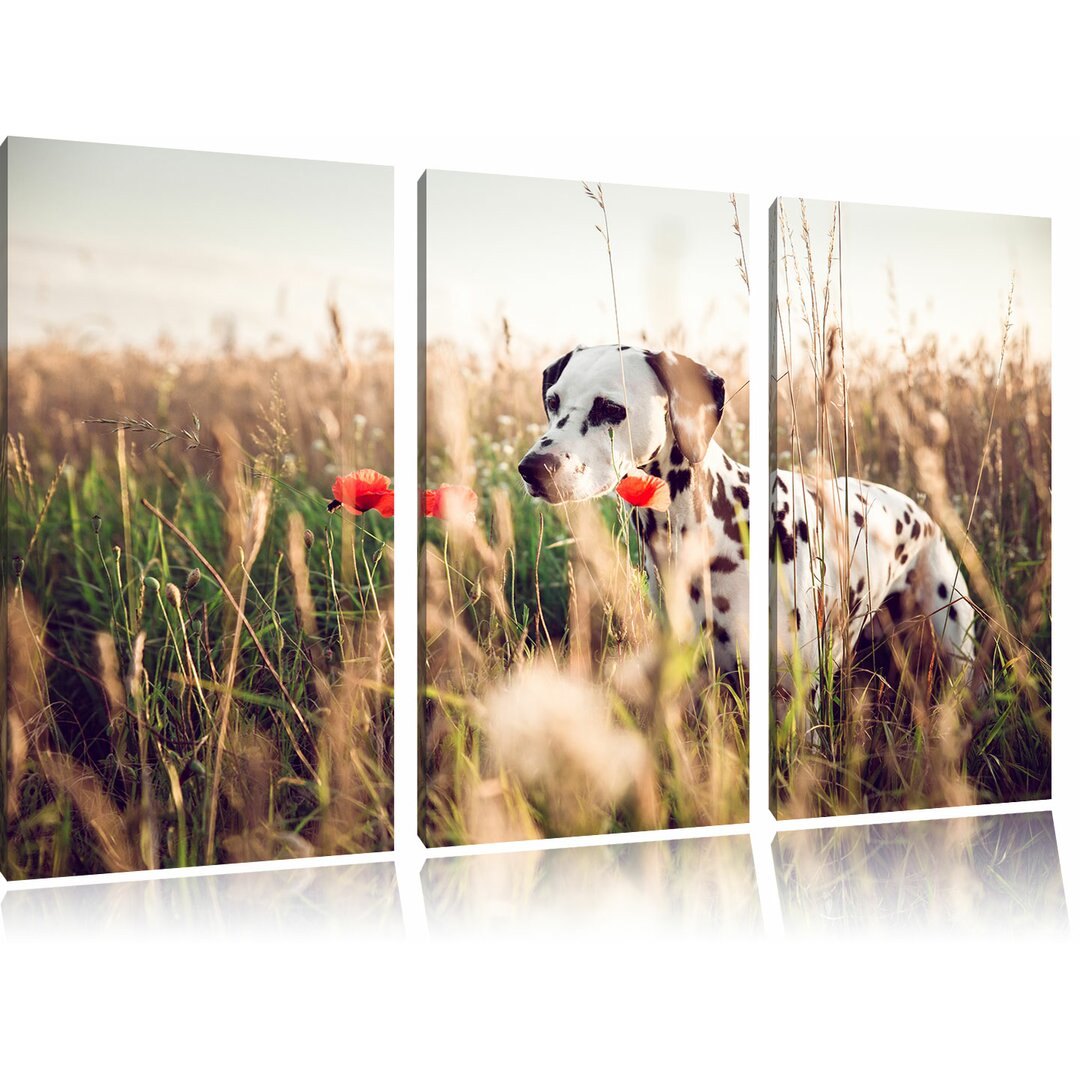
(585,570)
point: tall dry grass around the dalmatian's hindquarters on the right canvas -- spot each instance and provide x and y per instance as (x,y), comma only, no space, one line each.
(968,435)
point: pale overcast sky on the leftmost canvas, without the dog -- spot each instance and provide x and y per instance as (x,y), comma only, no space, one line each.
(120,245)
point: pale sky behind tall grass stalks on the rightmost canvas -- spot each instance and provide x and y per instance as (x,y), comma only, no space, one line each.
(951,274)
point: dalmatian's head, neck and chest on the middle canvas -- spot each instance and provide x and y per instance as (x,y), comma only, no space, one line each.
(616,410)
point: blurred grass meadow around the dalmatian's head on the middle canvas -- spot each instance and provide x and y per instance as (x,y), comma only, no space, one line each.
(556,699)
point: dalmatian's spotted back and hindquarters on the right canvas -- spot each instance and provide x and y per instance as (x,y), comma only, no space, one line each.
(856,562)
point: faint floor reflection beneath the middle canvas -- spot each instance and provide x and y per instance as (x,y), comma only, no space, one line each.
(685,886)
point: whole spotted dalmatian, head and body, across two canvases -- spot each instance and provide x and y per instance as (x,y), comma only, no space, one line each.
(613,411)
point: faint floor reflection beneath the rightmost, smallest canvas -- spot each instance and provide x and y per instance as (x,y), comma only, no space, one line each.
(971,875)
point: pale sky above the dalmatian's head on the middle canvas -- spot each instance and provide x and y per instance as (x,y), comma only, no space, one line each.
(529,250)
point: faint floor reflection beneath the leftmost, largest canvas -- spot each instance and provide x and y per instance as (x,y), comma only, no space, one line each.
(355,900)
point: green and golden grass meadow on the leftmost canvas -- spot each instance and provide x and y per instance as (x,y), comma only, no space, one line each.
(199,655)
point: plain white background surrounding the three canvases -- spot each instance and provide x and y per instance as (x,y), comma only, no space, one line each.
(909,104)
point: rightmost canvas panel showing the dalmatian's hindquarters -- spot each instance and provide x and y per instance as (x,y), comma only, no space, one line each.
(911,508)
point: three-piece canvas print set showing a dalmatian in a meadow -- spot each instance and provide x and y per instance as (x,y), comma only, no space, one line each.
(199,503)
